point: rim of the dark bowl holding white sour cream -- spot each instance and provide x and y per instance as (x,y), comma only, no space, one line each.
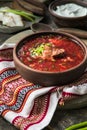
(55,3)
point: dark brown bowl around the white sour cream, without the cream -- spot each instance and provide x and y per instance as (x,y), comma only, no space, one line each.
(64,21)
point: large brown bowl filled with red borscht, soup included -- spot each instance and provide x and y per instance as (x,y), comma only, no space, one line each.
(50,58)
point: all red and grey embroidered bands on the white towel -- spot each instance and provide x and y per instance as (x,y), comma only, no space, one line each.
(14,92)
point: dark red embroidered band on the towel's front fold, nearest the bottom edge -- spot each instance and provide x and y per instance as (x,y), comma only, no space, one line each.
(37,114)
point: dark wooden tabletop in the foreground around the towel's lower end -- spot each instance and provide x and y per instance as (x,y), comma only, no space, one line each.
(60,120)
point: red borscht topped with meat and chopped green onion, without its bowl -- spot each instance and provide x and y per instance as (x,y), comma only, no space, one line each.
(53,53)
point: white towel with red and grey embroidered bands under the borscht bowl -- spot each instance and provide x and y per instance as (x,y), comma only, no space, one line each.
(25,105)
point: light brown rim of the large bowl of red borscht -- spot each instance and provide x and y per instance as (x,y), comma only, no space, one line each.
(78,41)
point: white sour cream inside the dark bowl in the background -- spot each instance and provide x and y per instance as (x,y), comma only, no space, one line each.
(71,10)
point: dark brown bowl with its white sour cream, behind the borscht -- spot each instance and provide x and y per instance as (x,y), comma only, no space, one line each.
(69,13)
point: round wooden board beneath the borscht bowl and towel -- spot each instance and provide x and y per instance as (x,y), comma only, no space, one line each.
(78,102)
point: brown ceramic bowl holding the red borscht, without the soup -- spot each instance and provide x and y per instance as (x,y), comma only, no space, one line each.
(46,78)
